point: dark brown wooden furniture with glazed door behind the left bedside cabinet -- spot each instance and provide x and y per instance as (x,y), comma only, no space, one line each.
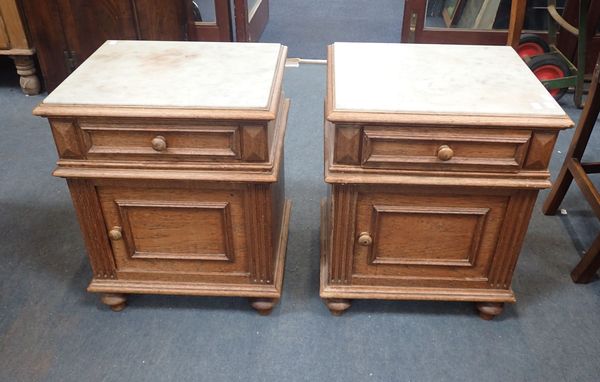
(66,32)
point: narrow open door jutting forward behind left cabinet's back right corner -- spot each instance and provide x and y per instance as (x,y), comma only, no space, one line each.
(251,18)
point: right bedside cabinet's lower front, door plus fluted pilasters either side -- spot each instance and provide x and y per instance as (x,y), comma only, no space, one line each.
(412,238)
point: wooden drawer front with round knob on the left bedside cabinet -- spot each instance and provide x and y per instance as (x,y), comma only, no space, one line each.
(161,142)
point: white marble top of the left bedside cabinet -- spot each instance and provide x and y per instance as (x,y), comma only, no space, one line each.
(173,74)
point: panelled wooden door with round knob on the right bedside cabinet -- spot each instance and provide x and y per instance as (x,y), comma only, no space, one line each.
(425,238)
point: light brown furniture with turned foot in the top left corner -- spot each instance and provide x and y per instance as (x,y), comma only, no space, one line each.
(14,43)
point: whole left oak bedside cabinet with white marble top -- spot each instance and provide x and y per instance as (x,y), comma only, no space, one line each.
(173,153)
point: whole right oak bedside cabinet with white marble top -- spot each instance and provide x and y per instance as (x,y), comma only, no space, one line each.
(435,155)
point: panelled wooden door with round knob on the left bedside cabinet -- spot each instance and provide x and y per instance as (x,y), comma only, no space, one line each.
(177,232)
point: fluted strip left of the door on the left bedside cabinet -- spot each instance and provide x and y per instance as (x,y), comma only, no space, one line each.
(91,222)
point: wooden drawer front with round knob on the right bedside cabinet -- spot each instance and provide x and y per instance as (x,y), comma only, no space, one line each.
(444,149)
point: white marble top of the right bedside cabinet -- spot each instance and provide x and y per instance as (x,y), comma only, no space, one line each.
(438,79)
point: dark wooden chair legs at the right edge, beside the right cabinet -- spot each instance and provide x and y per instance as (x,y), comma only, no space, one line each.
(573,168)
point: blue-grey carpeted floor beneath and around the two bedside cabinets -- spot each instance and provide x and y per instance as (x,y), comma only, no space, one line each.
(52,330)
